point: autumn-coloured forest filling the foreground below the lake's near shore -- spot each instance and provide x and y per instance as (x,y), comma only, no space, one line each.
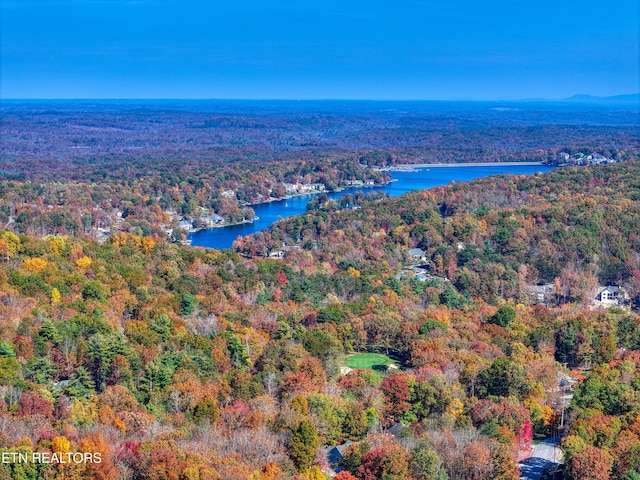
(186,363)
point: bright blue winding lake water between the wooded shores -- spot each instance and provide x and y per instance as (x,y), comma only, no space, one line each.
(406,182)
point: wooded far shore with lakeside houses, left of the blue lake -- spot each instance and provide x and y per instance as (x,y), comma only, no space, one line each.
(150,201)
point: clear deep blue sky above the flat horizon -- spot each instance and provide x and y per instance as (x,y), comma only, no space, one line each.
(309,49)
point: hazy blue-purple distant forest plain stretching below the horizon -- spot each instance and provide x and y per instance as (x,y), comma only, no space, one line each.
(94,142)
